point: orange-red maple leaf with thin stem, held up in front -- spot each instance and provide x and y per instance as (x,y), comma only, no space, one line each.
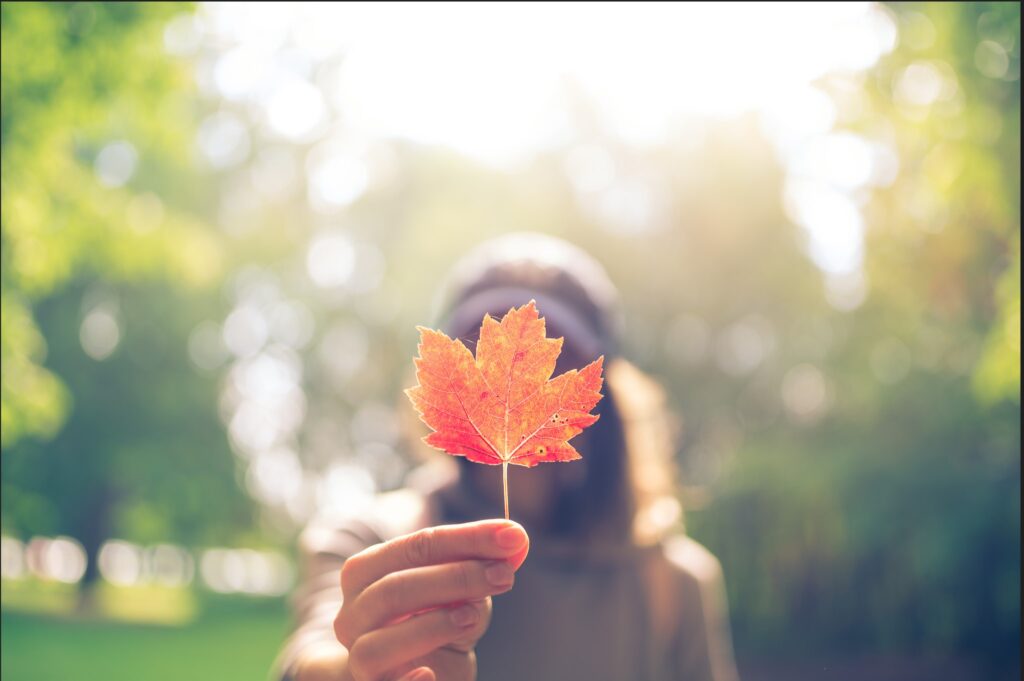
(503,407)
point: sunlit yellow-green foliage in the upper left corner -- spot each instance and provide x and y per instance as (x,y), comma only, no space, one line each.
(67,92)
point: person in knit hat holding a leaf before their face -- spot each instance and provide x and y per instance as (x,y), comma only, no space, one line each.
(429,587)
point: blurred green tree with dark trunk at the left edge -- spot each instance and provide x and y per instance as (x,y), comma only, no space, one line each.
(120,439)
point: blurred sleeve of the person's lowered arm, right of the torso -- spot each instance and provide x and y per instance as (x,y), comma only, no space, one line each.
(703,646)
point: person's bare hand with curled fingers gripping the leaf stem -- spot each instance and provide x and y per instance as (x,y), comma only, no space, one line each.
(414,608)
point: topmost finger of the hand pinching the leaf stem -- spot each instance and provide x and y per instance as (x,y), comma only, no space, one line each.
(433,546)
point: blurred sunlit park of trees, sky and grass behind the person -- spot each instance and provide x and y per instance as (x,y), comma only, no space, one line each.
(221,224)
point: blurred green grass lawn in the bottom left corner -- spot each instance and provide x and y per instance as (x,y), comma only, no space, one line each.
(229,639)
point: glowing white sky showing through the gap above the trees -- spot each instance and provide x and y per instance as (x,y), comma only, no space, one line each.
(496,82)
